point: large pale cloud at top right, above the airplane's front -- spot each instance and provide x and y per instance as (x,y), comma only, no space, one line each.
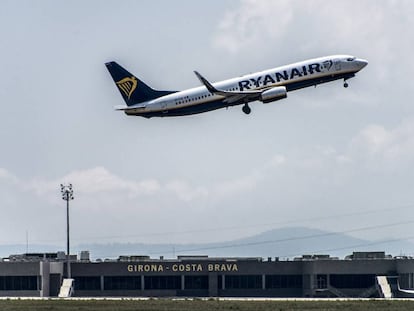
(315,26)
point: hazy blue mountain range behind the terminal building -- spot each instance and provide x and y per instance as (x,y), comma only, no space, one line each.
(283,243)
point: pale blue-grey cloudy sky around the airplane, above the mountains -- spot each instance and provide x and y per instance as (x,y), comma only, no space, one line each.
(328,158)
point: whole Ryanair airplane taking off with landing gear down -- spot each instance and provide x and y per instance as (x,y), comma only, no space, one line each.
(265,86)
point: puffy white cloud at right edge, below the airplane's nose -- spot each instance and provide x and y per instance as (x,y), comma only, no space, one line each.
(374,147)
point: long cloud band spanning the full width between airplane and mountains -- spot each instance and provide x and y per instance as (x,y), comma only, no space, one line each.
(374,147)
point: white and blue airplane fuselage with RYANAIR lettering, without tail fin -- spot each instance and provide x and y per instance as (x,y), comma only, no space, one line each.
(292,77)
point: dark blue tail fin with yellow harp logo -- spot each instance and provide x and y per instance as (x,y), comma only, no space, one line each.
(132,89)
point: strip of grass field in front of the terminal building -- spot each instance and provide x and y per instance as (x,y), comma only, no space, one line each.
(201,305)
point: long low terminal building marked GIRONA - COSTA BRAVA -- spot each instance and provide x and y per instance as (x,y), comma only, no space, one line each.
(362,274)
